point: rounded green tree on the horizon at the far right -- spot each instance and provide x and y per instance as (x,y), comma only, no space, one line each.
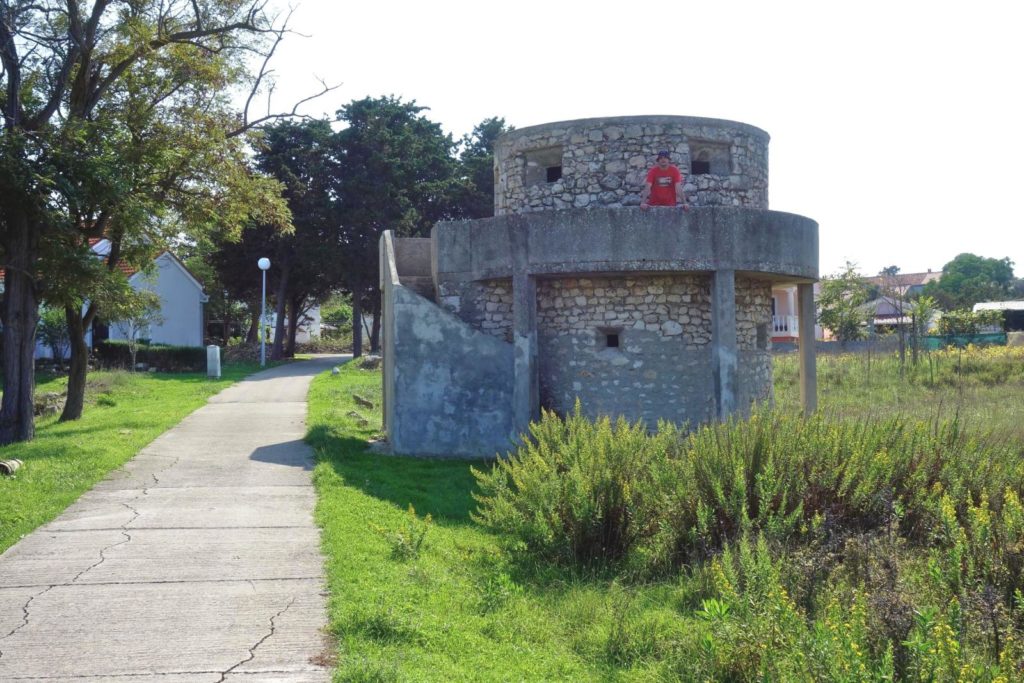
(970,279)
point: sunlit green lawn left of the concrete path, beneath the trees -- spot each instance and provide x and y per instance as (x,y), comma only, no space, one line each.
(123,413)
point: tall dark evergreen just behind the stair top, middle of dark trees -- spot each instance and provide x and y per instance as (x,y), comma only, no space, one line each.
(397,173)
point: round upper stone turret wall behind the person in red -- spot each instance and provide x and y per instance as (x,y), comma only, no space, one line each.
(605,162)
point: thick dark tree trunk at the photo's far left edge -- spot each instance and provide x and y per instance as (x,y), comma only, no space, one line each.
(21,316)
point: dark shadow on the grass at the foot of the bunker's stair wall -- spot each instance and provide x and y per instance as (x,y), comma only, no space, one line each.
(440,487)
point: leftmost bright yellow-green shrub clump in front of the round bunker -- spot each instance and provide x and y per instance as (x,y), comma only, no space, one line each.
(579,492)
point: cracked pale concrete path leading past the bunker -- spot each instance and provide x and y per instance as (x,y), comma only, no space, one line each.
(198,562)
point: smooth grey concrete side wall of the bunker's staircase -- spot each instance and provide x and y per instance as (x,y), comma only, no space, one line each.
(448,389)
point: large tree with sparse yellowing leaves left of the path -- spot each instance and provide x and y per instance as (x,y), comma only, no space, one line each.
(110,110)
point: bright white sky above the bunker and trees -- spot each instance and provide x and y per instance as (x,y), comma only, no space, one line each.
(897,125)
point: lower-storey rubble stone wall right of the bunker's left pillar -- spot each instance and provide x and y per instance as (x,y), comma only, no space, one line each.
(641,347)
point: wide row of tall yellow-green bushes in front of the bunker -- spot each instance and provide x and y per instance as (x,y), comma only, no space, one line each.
(586,494)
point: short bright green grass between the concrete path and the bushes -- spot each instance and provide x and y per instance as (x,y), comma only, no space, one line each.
(459,611)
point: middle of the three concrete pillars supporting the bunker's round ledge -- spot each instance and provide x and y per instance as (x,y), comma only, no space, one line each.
(723,341)
